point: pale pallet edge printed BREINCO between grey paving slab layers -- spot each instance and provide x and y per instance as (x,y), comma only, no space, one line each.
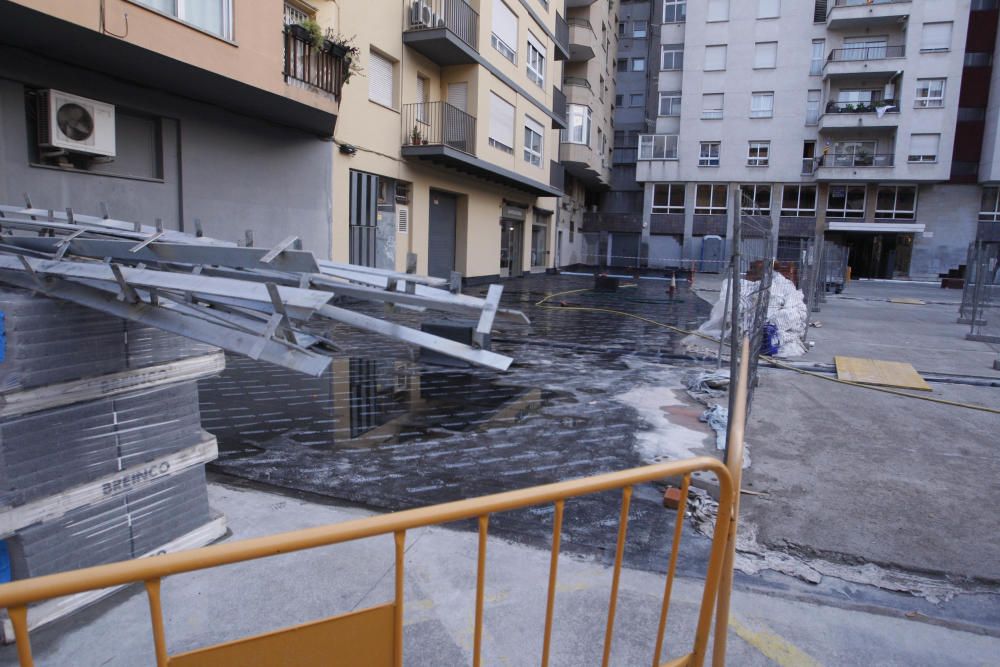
(116,484)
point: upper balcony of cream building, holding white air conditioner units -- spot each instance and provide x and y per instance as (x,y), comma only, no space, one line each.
(445,31)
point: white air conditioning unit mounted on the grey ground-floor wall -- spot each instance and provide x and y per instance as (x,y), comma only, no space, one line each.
(75,124)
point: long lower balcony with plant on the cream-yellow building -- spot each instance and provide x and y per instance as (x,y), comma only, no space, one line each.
(445,136)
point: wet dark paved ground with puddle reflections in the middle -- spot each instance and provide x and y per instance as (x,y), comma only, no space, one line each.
(385,430)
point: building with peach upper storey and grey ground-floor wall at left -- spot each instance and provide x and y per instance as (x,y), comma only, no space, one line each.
(209,112)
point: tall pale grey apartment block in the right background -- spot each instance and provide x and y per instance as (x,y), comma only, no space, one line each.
(862,120)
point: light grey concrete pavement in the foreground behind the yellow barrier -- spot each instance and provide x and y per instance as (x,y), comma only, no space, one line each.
(231,602)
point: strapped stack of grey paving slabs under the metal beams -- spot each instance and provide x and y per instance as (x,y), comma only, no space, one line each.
(102,454)
